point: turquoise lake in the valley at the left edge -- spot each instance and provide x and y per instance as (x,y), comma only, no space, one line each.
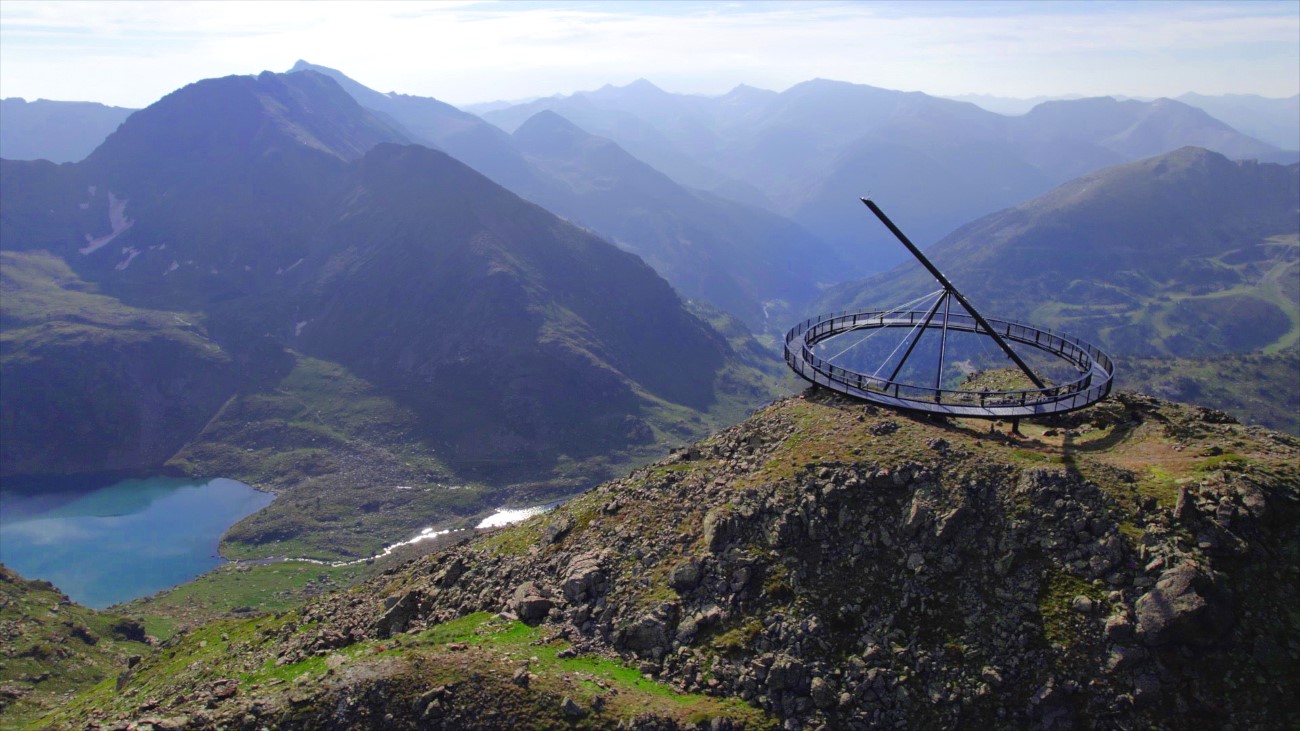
(123,542)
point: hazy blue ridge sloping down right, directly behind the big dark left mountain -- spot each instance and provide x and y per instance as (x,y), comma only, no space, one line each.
(746,261)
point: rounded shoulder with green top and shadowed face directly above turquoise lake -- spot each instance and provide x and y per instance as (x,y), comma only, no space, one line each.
(92,384)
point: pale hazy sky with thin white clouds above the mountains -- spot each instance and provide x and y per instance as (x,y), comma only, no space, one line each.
(132,54)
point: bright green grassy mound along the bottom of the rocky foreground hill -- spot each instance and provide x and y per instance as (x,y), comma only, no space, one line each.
(482,650)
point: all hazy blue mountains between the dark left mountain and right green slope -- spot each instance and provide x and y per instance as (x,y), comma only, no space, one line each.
(673,168)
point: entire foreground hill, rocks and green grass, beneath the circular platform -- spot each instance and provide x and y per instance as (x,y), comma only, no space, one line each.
(824,565)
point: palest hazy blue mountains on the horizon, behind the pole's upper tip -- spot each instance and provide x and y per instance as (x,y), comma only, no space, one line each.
(812,150)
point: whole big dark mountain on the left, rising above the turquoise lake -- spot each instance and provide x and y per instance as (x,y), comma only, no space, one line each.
(272,219)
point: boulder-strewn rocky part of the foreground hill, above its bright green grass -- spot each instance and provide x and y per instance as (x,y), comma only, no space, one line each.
(886,583)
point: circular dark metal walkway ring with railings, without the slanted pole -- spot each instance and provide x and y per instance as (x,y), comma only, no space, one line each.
(1094,367)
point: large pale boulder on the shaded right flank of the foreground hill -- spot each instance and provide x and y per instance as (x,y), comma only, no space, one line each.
(1185,607)
